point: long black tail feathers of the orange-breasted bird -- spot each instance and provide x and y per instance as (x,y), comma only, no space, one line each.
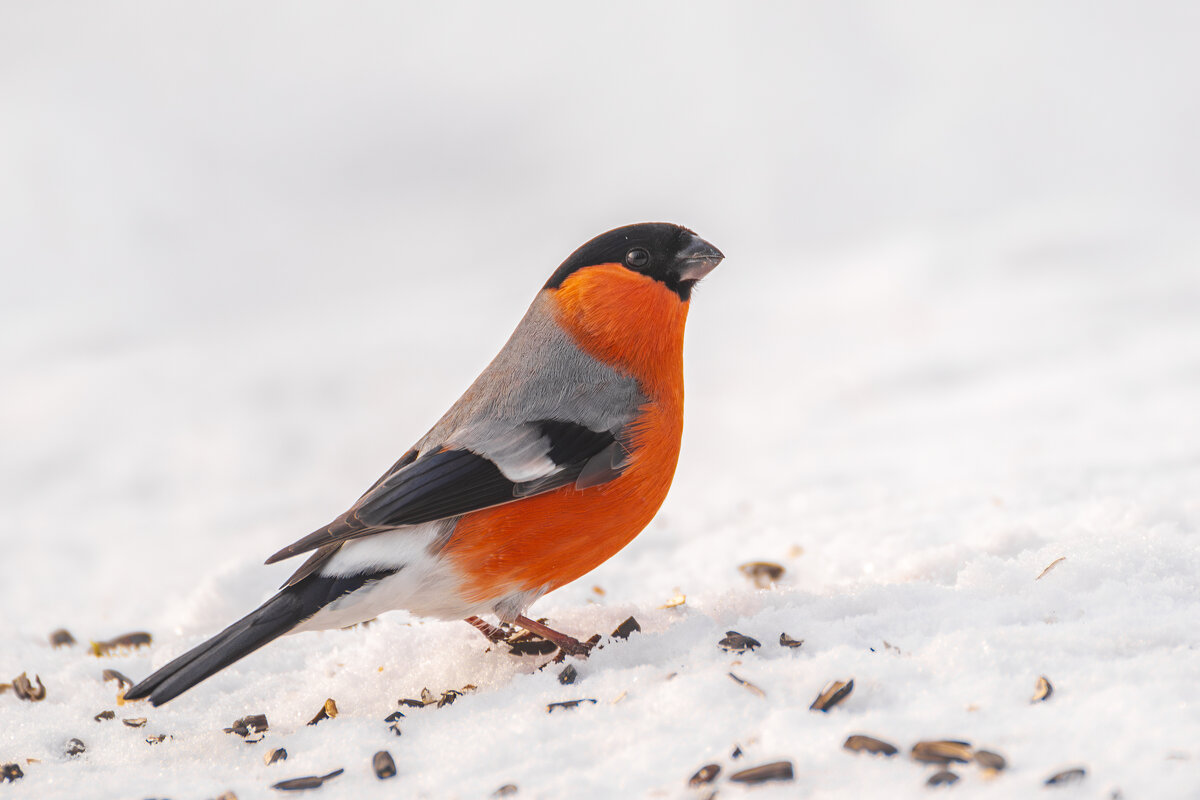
(269,622)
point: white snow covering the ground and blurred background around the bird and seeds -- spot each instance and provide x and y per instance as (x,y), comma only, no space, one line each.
(249,258)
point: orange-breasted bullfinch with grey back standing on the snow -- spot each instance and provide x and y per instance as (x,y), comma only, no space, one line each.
(553,461)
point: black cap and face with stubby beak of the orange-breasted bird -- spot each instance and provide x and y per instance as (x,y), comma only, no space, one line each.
(665,252)
